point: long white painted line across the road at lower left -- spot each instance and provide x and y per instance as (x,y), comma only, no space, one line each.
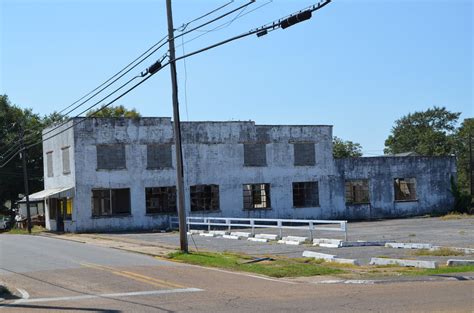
(106,295)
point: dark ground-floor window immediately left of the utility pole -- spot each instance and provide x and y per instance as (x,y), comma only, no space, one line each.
(161,200)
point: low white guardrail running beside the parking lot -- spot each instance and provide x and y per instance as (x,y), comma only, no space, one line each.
(280,224)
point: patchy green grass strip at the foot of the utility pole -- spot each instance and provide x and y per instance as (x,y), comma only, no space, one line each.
(281,267)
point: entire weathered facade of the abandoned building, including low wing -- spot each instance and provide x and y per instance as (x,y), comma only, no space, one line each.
(214,154)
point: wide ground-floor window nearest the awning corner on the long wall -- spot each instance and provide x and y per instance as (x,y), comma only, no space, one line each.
(110,202)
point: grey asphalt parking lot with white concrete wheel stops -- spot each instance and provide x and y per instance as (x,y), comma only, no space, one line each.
(433,230)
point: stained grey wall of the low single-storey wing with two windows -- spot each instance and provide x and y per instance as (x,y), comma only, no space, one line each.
(432,185)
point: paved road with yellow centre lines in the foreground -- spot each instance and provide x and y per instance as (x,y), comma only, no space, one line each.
(61,276)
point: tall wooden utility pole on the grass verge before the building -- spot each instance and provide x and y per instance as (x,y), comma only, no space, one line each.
(177,135)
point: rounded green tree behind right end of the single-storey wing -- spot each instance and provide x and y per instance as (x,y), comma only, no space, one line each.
(430,133)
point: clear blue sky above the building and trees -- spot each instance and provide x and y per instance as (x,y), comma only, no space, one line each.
(357,65)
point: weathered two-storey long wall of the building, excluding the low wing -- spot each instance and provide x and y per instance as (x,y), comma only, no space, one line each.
(213,154)
